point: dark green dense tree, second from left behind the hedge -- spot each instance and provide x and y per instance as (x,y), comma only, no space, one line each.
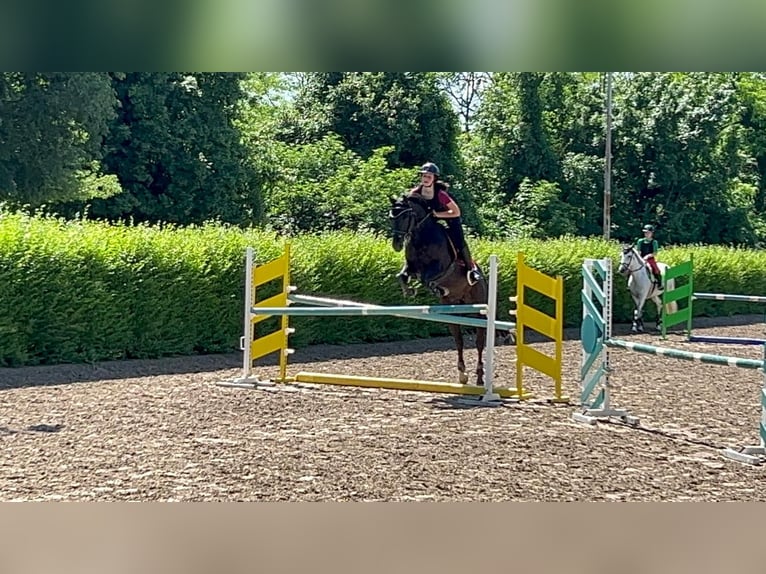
(177,152)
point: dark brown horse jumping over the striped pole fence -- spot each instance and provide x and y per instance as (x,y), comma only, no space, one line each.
(431,258)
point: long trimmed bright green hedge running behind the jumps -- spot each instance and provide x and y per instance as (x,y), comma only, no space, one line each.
(85,291)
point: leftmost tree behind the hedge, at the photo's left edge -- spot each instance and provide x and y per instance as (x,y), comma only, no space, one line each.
(51,131)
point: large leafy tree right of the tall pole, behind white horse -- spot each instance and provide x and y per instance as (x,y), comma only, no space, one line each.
(677,160)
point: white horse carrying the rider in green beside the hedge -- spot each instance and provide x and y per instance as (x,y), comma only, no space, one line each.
(641,286)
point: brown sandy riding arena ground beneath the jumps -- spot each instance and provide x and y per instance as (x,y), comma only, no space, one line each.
(165,431)
